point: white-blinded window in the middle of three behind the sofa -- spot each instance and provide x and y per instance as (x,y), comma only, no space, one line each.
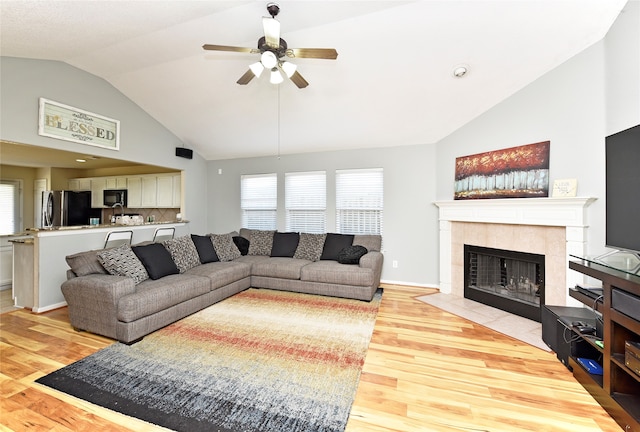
(306,201)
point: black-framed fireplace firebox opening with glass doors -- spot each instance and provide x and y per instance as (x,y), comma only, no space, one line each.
(512,281)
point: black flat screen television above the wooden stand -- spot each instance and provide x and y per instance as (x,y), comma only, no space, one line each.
(623,190)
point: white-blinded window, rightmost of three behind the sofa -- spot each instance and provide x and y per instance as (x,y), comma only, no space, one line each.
(359,201)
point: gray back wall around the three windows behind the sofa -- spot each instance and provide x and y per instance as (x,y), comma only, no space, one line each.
(410,232)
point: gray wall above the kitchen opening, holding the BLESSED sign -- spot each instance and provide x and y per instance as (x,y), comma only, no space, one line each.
(142,139)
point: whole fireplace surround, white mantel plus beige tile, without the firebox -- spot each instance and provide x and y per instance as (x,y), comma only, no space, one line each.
(553,227)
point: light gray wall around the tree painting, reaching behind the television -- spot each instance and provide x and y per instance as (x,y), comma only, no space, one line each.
(575,106)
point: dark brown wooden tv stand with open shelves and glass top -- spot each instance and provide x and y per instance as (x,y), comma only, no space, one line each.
(618,388)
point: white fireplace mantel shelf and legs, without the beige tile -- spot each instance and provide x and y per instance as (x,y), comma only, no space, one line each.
(557,212)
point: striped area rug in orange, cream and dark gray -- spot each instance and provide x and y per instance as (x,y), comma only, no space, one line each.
(261,360)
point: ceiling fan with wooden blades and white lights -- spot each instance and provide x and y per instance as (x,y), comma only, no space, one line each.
(272,50)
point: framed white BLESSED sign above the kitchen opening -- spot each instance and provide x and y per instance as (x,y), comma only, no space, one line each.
(67,123)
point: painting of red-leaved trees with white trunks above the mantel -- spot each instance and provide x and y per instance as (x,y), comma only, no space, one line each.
(516,172)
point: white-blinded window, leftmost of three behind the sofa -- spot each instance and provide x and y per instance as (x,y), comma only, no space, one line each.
(259,201)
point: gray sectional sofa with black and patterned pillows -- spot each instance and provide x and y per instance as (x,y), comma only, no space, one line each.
(128,292)
